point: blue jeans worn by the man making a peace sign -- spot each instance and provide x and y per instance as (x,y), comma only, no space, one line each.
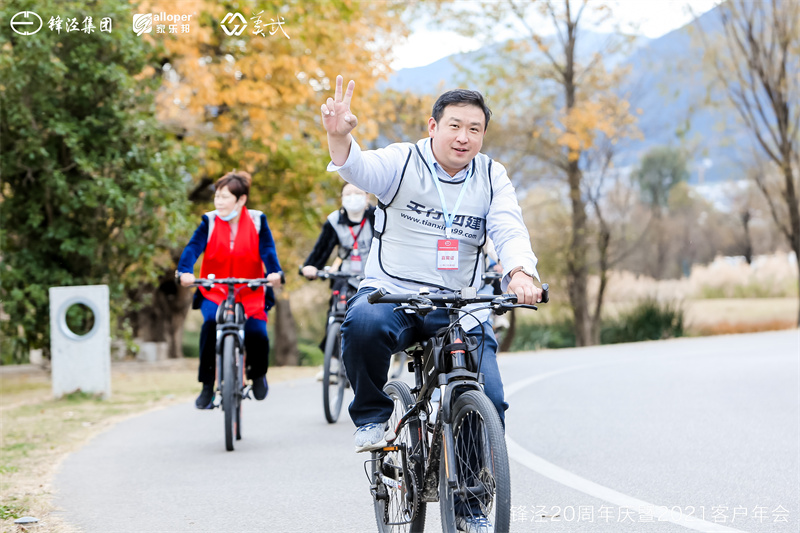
(371,333)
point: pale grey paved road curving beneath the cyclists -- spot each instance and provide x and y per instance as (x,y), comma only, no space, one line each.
(680,435)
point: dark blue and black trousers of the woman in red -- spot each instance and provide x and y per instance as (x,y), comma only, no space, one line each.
(256,344)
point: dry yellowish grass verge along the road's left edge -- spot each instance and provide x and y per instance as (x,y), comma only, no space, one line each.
(37,432)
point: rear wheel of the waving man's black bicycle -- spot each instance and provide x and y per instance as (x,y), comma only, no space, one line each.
(398,500)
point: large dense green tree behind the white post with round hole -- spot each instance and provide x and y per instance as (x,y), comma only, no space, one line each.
(93,192)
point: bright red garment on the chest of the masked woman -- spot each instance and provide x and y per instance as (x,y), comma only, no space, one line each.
(244,261)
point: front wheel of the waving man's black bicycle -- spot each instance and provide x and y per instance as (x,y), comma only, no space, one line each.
(481,462)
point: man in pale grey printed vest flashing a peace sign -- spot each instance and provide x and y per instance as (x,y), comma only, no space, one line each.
(438,200)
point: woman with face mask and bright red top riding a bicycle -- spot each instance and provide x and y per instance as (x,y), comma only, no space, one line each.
(236,242)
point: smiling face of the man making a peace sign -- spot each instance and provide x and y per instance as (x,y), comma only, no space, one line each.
(458,136)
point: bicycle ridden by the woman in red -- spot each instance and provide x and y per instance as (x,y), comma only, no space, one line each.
(231,384)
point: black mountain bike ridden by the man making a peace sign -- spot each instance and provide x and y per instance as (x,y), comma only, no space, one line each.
(456,453)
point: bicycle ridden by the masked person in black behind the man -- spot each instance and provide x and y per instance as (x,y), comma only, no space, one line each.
(334,378)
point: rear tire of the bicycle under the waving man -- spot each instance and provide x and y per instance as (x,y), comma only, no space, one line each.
(409,435)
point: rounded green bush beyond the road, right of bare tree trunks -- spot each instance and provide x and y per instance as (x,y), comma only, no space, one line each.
(650,320)
